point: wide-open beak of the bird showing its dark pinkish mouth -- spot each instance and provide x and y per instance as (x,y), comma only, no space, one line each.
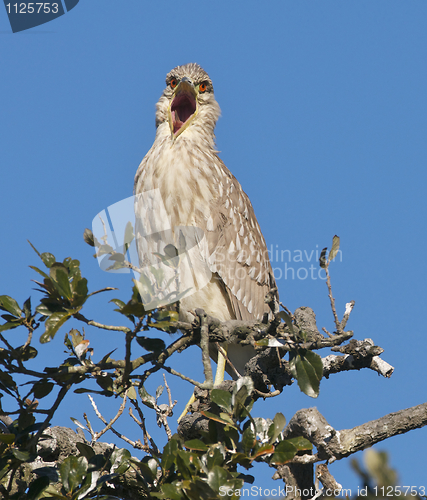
(183,108)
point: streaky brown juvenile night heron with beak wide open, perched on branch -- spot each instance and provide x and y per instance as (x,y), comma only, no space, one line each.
(190,187)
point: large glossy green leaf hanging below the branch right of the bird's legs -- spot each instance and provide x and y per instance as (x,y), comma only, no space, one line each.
(307,368)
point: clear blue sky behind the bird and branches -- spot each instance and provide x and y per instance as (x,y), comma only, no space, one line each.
(324,121)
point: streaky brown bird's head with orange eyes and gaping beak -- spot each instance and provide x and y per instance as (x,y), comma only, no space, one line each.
(188,102)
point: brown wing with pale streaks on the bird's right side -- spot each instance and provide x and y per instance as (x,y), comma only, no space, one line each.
(238,252)
